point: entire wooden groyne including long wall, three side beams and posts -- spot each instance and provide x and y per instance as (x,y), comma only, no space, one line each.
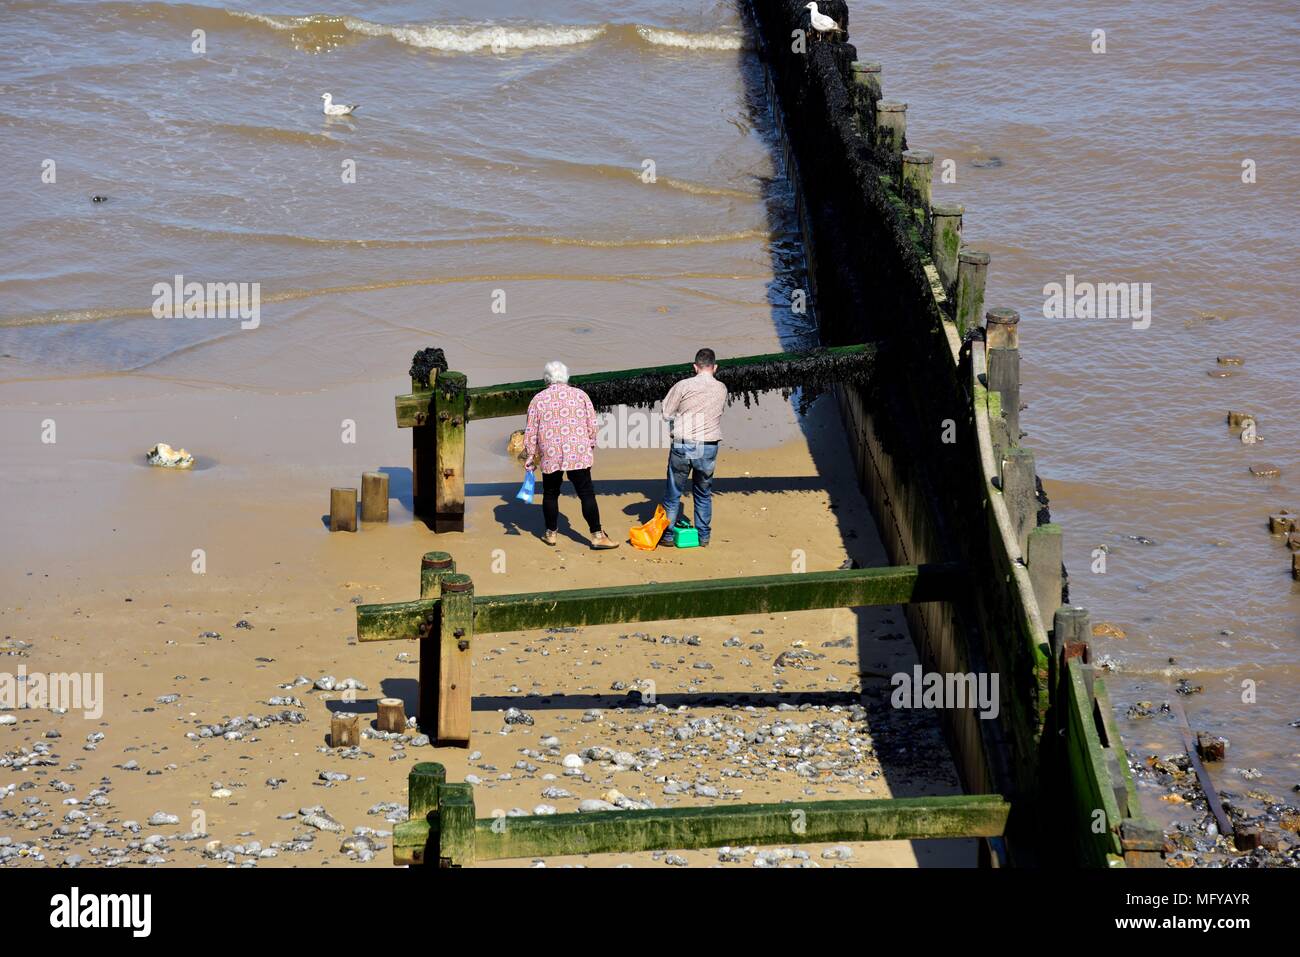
(929,387)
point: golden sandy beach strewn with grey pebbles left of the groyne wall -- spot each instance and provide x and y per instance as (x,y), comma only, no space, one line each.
(114,592)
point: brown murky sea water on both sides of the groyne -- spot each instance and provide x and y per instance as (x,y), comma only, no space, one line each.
(506,150)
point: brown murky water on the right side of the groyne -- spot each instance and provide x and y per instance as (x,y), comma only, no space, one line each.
(1128,167)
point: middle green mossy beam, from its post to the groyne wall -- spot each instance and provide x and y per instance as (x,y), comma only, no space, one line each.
(673,601)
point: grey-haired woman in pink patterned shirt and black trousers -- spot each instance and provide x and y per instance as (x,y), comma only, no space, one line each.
(562,436)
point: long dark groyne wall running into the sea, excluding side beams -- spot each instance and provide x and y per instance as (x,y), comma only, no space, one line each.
(939,451)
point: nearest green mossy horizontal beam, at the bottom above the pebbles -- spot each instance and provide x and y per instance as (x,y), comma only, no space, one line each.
(811,822)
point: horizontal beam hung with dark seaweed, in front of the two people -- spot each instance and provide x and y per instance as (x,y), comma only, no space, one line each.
(513,399)
